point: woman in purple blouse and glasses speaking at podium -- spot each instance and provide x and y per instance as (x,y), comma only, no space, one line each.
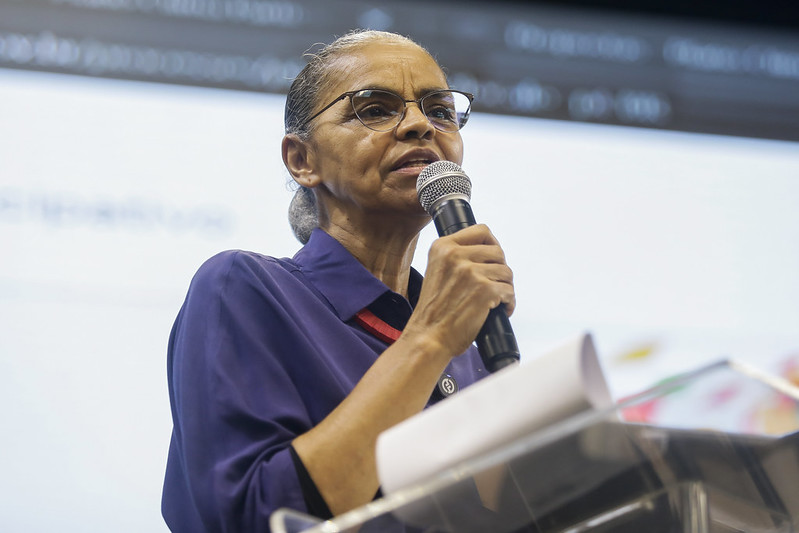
(283,372)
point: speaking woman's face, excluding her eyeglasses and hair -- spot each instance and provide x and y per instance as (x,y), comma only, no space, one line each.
(369,176)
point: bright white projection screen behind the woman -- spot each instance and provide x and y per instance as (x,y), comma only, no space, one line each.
(680,248)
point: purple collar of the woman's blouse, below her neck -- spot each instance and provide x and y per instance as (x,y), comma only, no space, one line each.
(346,283)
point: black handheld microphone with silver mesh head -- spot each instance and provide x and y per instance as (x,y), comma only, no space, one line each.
(444,191)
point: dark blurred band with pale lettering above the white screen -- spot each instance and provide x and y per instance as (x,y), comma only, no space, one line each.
(729,67)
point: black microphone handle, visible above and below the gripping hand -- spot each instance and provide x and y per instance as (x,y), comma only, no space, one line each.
(495,341)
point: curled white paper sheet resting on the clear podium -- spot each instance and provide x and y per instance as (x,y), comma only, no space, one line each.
(502,407)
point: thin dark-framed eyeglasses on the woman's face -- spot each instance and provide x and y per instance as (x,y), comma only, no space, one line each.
(381,110)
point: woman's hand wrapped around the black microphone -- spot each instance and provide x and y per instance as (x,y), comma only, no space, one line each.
(466,277)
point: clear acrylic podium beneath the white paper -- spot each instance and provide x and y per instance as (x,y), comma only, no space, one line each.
(716,450)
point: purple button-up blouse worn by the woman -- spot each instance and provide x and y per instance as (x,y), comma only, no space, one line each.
(262,350)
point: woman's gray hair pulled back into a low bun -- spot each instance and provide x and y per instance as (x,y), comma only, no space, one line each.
(301,101)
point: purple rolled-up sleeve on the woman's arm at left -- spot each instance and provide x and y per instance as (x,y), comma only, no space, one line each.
(236,408)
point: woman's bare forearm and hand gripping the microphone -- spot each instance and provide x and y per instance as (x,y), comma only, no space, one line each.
(466,276)
